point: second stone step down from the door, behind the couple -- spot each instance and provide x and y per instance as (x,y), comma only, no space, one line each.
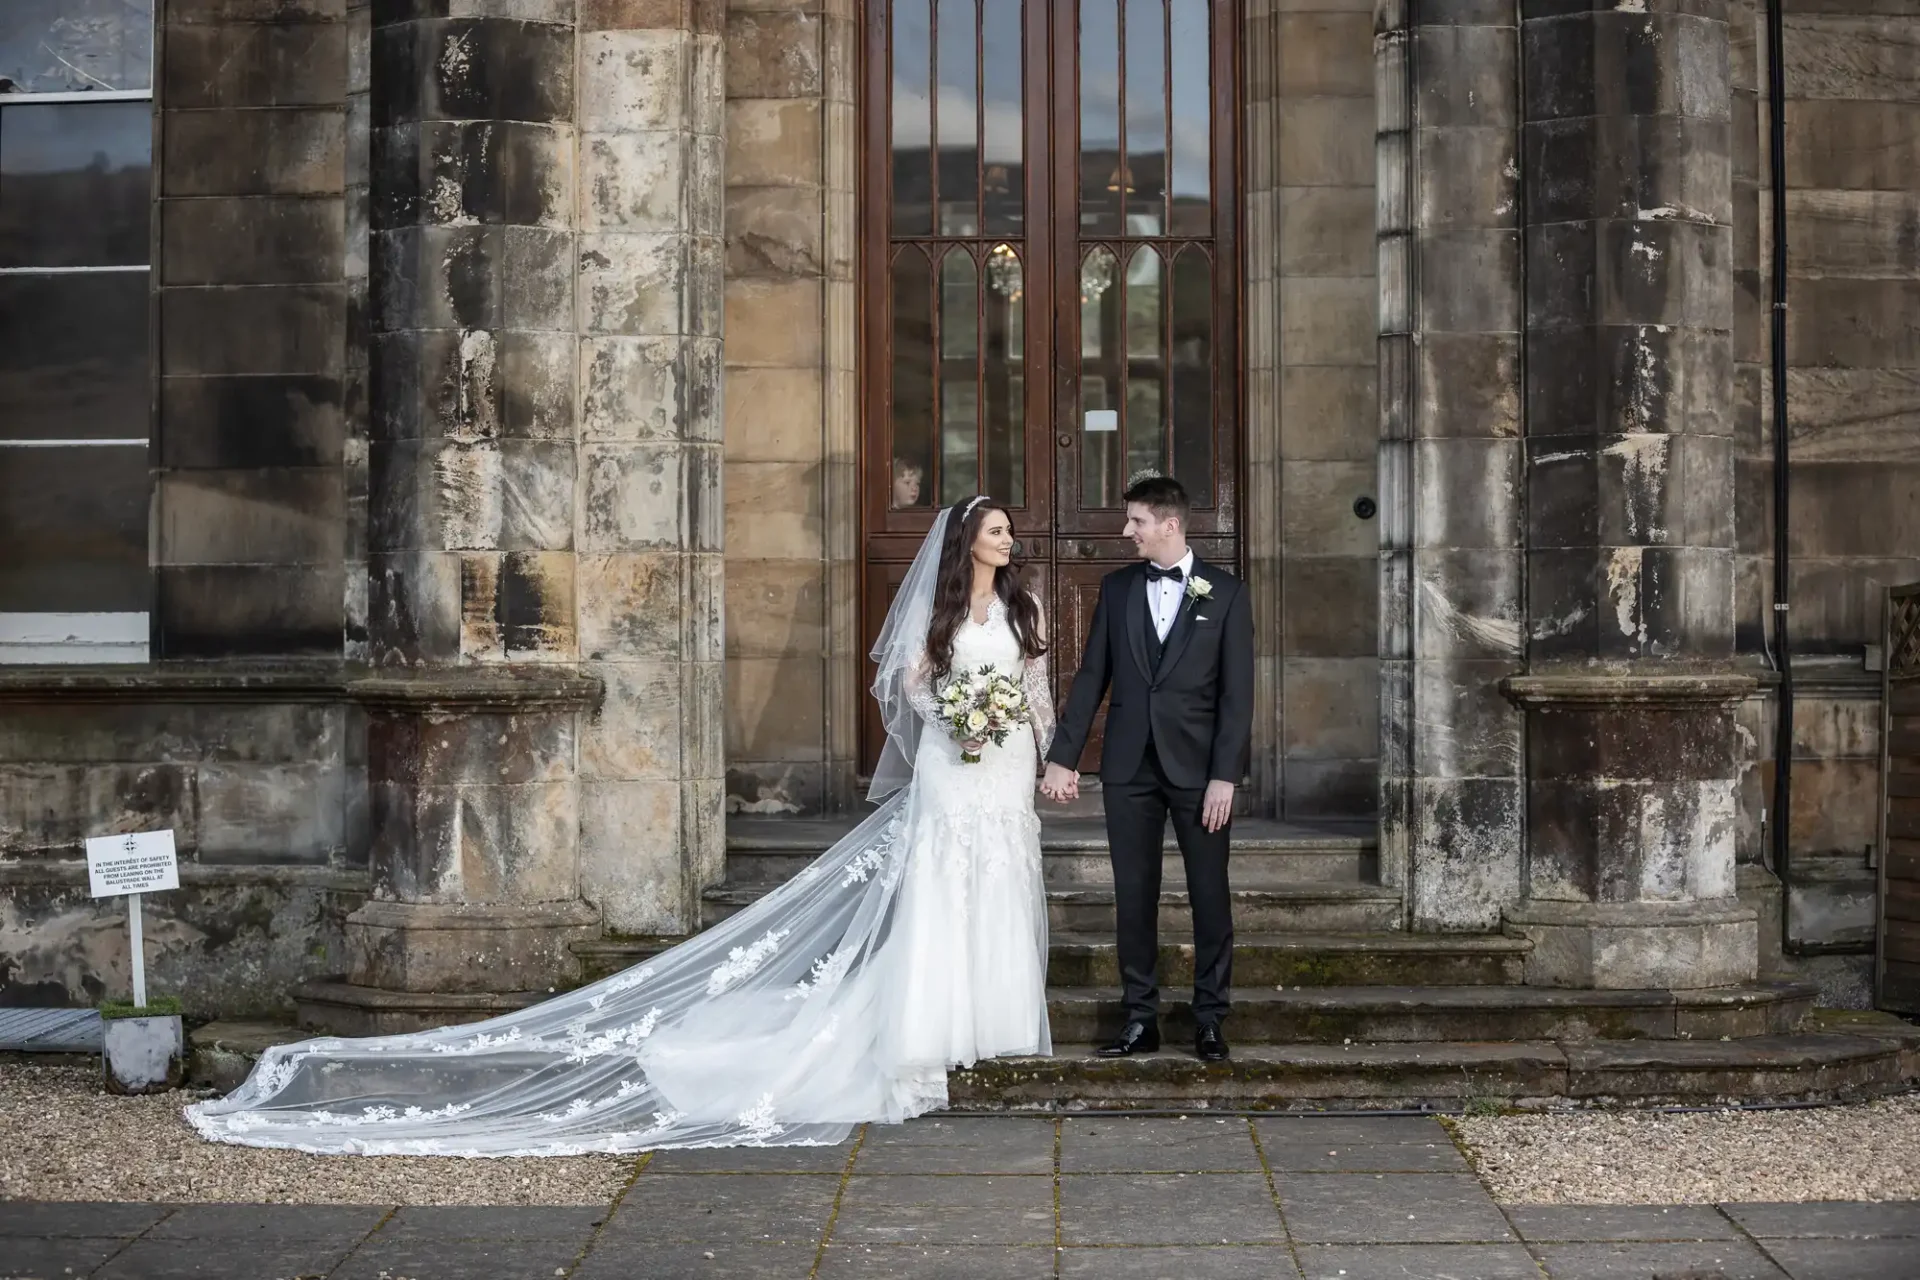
(1272,909)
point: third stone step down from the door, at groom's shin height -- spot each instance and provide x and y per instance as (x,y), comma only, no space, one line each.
(1259,960)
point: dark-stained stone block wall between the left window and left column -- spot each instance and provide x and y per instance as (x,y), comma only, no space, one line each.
(252,329)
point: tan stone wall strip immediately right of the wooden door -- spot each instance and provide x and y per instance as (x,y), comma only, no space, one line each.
(1328,306)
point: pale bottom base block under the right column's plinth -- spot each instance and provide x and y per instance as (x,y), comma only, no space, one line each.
(1639,945)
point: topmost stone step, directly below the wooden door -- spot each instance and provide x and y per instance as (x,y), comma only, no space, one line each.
(1074,853)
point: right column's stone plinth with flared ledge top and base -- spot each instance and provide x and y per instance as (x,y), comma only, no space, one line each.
(1631,784)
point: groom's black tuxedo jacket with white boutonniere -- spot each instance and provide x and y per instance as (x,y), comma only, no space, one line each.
(1197,701)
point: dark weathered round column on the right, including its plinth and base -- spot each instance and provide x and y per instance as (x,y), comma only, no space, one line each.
(1631,692)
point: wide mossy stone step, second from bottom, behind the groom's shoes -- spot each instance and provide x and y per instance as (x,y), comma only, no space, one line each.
(1397,1014)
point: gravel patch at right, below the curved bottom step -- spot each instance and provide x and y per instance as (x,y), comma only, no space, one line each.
(1637,1158)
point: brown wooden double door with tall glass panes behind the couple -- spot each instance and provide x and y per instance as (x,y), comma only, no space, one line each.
(1049,281)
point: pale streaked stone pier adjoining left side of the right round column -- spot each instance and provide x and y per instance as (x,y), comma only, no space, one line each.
(1451,460)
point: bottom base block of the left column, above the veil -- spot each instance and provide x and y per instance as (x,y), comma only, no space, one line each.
(468,949)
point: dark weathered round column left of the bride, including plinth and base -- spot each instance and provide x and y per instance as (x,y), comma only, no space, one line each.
(471,531)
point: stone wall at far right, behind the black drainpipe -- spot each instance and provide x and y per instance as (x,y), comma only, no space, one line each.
(1854,415)
